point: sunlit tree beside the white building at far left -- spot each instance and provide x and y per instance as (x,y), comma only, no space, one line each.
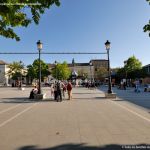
(15,70)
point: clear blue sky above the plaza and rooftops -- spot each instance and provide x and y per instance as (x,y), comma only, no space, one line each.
(84,26)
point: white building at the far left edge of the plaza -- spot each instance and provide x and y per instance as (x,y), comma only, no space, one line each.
(4,78)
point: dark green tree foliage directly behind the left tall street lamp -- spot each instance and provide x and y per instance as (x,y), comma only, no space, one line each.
(33,70)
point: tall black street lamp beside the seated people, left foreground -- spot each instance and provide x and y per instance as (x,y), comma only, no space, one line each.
(39,47)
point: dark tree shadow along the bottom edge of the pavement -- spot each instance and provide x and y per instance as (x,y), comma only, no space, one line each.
(85,147)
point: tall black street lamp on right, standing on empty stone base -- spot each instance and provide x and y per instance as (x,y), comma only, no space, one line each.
(107,45)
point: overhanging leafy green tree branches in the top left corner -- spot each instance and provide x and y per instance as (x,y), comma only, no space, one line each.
(13,13)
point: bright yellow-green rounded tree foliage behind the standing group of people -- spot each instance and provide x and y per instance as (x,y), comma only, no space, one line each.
(61,71)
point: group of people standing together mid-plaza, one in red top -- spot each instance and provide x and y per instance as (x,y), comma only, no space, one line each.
(58,90)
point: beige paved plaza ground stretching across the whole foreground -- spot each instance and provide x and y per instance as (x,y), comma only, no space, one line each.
(88,121)
